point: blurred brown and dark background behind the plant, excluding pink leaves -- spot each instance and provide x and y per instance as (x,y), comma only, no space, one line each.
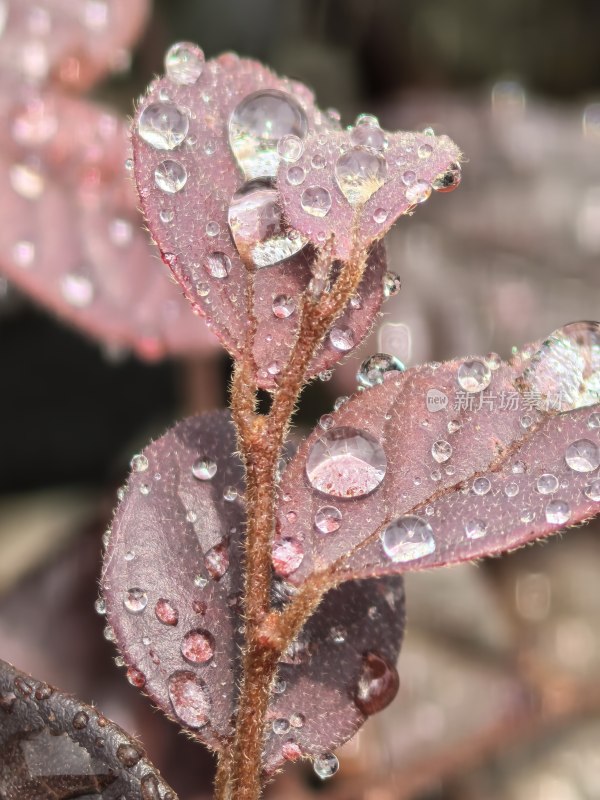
(500,692)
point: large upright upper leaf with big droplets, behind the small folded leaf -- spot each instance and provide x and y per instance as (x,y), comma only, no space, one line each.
(187,176)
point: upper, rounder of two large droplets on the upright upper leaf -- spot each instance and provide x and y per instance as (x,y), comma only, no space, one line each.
(256,126)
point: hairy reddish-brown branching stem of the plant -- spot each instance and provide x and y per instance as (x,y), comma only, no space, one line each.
(261,438)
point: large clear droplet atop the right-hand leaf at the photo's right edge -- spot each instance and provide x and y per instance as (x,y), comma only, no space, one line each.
(564,374)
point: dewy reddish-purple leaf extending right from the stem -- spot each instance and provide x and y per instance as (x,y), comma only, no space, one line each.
(470,481)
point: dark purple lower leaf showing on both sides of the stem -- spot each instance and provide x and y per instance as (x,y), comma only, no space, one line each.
(172,587)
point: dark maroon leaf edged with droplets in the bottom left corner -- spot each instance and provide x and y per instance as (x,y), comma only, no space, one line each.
(54,747)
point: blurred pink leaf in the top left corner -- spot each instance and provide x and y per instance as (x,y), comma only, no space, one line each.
(70,42)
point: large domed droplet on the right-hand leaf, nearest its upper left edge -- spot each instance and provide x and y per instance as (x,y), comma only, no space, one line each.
(346,462)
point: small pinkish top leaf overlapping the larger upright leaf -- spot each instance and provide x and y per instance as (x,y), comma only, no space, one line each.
(378,183)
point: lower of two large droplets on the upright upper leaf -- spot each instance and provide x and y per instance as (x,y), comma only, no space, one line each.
(258,228)
